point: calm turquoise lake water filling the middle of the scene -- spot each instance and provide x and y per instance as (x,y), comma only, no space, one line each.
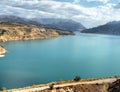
(62,58)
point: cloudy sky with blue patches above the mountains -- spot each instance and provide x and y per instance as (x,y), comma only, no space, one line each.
(90,13)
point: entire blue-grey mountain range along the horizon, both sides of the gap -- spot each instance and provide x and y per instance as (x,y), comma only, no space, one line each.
(112,28)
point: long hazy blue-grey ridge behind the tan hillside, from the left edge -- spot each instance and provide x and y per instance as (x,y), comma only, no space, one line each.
(57,23)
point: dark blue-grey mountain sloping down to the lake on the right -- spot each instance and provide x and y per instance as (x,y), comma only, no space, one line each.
(112,28)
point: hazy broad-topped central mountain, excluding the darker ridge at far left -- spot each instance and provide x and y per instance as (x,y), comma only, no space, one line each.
(64,24)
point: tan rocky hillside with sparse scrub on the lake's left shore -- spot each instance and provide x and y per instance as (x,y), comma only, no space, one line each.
(15,31)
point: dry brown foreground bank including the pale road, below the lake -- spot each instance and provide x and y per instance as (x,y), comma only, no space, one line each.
(89,85)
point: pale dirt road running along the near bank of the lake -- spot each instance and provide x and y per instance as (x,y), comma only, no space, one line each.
(109,80)
